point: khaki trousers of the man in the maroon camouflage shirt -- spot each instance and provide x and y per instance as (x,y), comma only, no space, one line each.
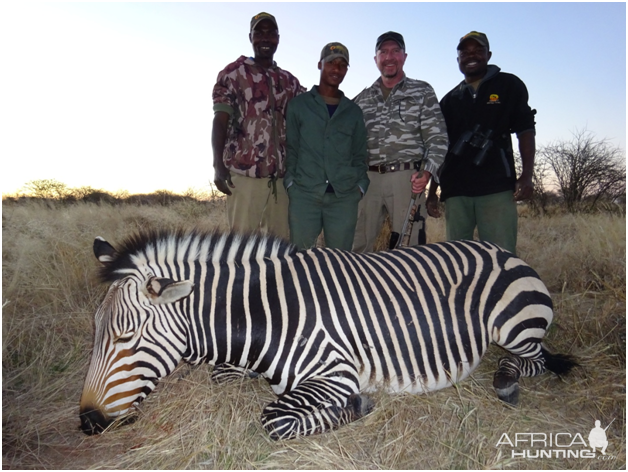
(252,207)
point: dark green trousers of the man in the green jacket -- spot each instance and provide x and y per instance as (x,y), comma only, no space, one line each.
(308,214)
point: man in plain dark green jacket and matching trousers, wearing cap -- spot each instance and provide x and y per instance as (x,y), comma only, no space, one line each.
(326,168)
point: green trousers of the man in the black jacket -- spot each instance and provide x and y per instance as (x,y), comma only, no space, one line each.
(494,215)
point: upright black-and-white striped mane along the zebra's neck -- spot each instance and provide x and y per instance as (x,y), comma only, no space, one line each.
(152,246)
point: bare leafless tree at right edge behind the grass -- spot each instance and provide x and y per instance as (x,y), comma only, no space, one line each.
(586,168)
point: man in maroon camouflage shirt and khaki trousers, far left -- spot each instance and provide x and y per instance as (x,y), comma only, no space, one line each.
(249,134)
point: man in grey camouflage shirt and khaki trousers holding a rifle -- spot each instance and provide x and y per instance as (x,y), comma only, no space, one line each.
(406,129)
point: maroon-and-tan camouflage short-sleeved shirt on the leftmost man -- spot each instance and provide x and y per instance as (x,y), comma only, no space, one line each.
(256,100)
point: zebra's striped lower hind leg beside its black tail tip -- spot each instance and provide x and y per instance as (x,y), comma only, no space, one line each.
(506,379)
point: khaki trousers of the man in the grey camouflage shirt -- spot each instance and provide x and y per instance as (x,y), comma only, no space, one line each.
(388,194)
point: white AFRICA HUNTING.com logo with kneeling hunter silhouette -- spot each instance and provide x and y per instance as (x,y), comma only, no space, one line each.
(558,445)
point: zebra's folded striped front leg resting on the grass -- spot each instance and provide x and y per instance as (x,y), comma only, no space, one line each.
(314,406)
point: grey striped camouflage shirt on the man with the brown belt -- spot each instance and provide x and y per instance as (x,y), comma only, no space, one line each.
(406,127)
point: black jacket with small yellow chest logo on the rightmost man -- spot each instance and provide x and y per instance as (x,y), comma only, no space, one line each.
(500,105)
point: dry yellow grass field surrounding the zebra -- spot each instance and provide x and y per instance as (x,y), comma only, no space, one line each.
(50,295)
